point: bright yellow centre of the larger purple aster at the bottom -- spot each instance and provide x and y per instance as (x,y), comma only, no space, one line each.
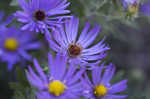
(56,88)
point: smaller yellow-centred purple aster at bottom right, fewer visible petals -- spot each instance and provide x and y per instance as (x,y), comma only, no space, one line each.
(100,87)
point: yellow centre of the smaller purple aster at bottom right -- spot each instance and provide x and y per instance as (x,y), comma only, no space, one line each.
(100,91)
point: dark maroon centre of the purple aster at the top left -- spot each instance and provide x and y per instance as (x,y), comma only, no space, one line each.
(39,15)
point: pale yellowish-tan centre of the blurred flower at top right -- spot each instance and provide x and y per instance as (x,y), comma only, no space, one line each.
(133,8)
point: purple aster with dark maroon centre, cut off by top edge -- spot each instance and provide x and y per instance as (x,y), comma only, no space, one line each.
(38,15)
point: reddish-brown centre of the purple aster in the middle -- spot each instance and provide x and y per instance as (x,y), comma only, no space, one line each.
(74,50)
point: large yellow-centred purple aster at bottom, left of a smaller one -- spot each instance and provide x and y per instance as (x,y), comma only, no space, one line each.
(63,82)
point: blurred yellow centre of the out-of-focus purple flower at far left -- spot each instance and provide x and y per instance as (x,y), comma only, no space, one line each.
(11,44)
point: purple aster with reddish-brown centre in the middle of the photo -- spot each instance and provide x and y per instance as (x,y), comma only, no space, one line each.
(81,49)
